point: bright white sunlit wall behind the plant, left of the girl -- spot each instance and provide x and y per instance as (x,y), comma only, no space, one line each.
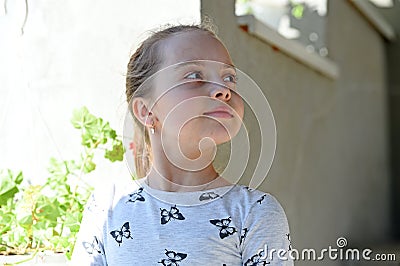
(72,53)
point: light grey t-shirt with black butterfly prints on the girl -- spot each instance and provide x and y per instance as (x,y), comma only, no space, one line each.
(137,225)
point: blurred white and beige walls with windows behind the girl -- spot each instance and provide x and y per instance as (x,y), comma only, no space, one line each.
(329,69)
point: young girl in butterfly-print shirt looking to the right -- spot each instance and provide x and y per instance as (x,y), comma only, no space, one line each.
(181,89)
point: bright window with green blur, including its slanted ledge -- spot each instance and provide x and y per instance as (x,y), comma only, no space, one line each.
(295,27)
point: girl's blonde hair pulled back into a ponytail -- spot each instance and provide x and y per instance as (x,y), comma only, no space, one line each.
(143,64)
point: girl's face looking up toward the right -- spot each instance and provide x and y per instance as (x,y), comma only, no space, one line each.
(195,92)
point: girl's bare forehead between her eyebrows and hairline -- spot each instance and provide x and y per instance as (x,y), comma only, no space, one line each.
(193,45)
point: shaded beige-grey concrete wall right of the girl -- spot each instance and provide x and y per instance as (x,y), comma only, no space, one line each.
(331,166)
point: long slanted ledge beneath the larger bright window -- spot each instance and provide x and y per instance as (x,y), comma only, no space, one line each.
(290,47)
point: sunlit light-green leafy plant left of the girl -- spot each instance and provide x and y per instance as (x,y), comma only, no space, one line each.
(47,217)
